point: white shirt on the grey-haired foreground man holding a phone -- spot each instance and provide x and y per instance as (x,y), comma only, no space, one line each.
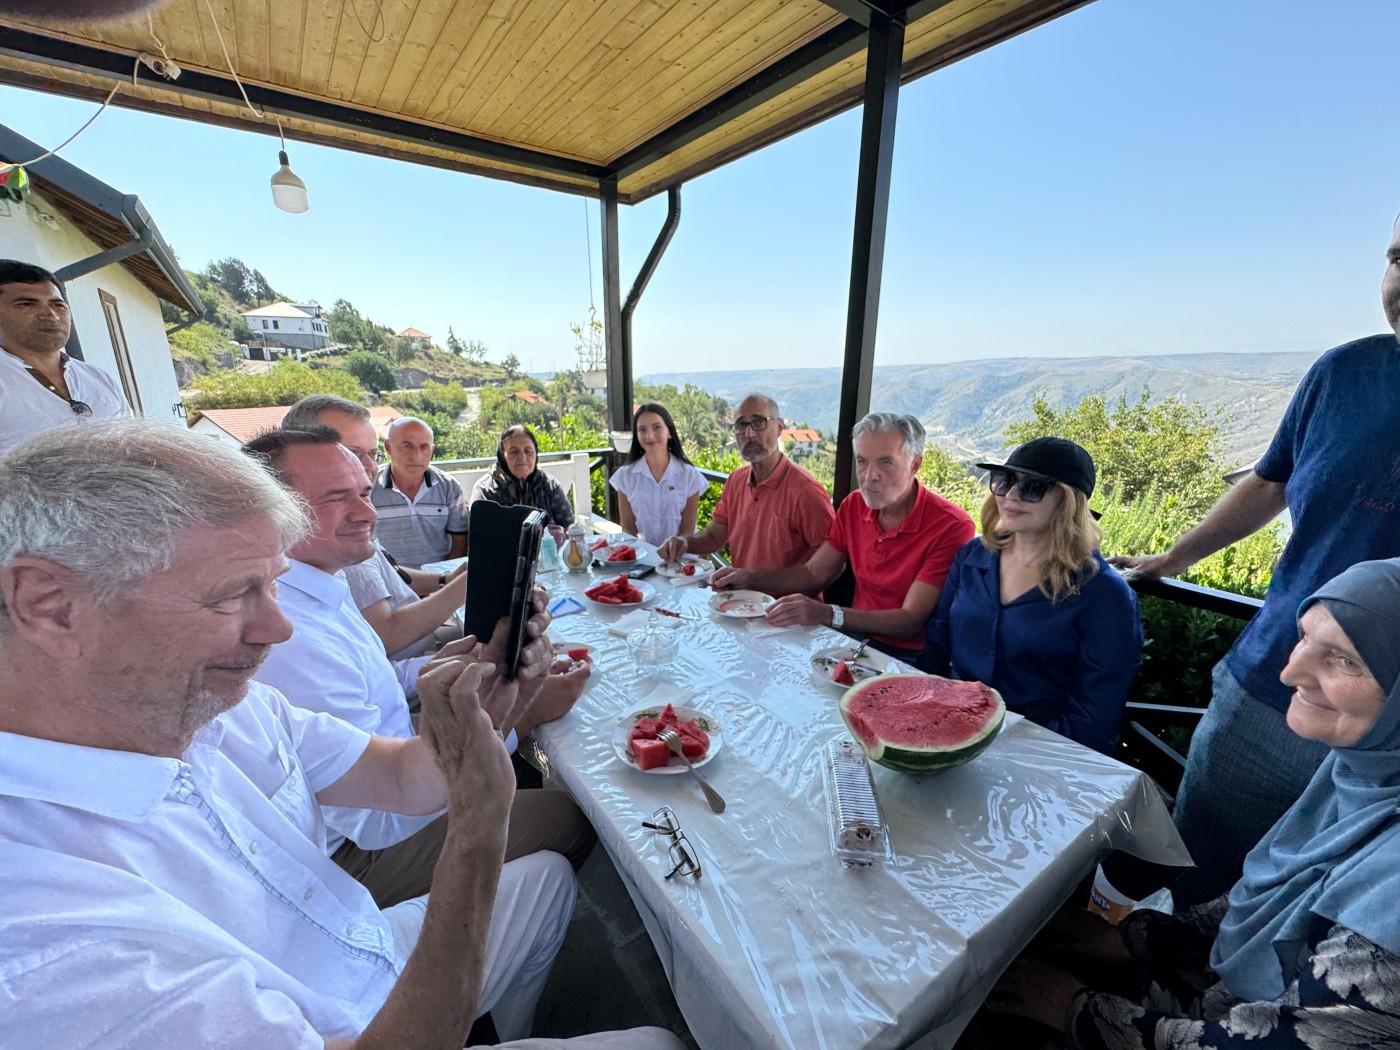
(185,904)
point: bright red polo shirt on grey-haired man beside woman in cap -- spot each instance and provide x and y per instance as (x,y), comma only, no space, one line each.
(885,565)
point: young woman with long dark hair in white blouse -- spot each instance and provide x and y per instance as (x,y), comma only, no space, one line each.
(659,491)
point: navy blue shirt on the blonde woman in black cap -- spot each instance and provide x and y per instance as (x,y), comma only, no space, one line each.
(1066,664)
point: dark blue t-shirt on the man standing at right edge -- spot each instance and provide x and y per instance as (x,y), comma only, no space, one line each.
(1338,453)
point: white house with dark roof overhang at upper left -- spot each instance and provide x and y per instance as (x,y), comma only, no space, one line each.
(115,268)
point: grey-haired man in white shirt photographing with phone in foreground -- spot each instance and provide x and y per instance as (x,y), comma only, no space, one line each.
(163,836)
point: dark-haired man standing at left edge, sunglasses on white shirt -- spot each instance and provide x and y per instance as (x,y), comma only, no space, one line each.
(41,387)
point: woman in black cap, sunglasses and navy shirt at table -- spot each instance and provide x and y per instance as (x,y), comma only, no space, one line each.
(1031,607)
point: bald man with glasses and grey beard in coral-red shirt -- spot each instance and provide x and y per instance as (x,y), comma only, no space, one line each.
(772,513)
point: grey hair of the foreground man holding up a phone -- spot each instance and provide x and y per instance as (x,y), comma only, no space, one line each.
(111,500)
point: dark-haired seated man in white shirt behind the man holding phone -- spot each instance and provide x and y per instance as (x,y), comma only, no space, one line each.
(334,663)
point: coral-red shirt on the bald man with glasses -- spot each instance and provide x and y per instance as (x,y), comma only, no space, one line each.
(776,524)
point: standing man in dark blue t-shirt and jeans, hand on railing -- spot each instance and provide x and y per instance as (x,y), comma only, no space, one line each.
(1335,467)
